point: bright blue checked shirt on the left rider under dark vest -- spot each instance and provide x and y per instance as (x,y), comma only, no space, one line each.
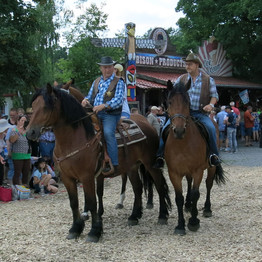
(103,85)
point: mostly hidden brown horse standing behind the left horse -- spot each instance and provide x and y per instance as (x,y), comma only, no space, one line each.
(148,183)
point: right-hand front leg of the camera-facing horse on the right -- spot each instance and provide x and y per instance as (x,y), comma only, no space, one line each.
(194,222)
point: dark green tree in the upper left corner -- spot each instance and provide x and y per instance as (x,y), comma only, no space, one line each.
(18,58)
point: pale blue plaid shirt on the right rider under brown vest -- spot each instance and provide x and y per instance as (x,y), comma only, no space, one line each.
(195,91)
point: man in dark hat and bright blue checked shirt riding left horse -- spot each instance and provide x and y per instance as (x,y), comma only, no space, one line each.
(106,95)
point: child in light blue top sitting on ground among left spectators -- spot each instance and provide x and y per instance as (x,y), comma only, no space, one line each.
(42,177)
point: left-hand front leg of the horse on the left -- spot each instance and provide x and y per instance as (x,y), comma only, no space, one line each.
(78,223)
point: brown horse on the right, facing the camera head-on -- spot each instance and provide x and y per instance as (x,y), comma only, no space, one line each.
(186,154)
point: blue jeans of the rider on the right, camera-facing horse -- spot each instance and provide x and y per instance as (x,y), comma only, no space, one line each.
(206,121)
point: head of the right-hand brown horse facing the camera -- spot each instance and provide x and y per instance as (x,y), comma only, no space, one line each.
(178,107)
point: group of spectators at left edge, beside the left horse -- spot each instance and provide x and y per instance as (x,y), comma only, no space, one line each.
(20,158)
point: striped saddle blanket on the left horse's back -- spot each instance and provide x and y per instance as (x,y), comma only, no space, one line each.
(128,132)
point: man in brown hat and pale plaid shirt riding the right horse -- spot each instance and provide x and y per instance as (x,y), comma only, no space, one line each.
(203,97)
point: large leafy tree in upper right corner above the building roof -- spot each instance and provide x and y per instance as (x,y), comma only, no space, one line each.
(236,24)
